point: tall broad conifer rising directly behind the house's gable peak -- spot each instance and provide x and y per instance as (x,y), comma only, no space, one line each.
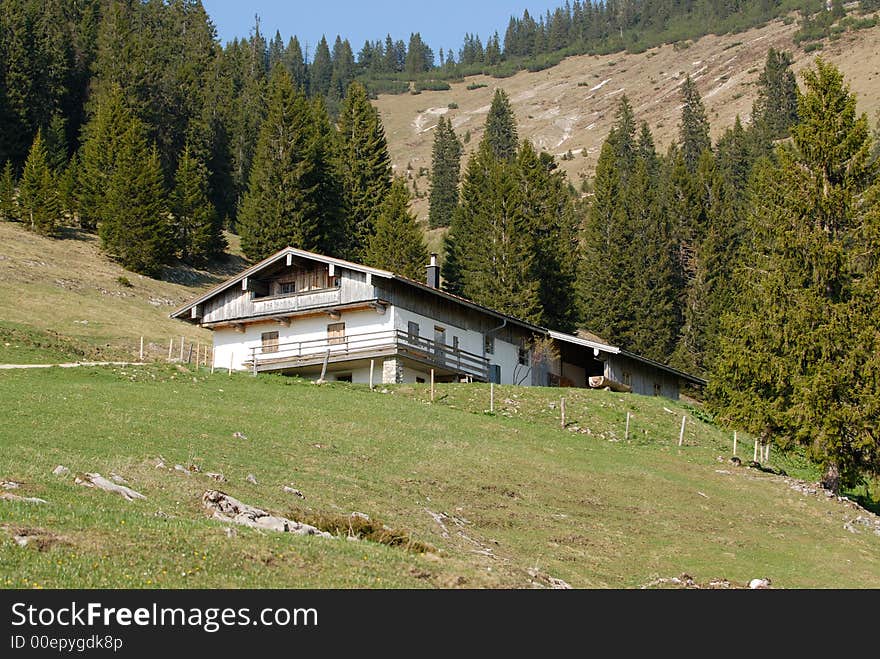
(282,206)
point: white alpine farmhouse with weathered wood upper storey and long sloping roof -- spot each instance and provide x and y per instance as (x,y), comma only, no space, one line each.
(302,313)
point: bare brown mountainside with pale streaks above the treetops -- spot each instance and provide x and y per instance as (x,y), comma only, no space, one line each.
(571,107)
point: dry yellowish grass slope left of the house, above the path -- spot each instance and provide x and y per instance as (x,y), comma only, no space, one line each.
(63,299)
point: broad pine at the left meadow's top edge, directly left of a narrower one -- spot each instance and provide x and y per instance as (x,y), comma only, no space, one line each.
(136,231)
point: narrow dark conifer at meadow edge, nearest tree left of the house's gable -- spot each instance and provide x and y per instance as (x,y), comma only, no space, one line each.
(198,232)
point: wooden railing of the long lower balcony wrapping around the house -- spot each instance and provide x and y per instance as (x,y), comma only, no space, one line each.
(356,346)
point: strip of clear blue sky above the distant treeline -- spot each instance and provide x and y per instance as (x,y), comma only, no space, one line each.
(442,23)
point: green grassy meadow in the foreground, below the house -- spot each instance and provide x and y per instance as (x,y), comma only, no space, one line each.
(519,493)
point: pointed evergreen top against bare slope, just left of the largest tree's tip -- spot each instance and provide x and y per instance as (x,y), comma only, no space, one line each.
(775,109)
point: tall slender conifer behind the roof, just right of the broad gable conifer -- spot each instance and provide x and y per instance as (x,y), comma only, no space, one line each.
(364,167)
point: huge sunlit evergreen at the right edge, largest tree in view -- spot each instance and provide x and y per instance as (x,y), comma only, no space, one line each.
(798,359)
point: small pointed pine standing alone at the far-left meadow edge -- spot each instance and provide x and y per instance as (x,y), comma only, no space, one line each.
(38,192)
